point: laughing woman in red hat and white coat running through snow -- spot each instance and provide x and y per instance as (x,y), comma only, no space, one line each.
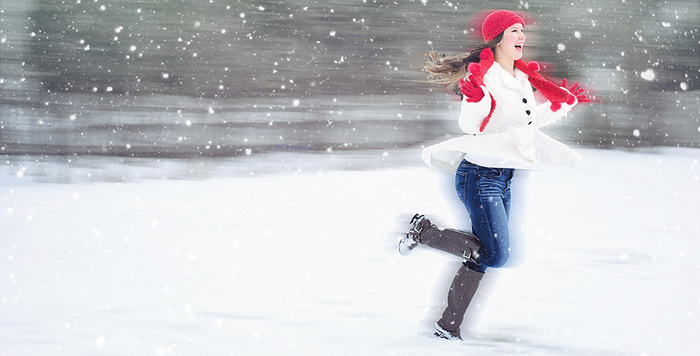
(501,123)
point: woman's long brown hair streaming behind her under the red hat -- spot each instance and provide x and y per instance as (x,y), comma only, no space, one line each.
(443,69)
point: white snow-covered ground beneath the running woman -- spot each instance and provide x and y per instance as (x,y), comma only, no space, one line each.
(296,254)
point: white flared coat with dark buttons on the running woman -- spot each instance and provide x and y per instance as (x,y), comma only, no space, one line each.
(512,138)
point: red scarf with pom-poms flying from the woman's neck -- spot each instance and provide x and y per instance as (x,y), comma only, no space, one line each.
(552,92)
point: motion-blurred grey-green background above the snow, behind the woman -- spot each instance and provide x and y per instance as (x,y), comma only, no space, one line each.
(107,62)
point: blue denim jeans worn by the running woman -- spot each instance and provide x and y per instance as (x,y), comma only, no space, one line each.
(485,192)
